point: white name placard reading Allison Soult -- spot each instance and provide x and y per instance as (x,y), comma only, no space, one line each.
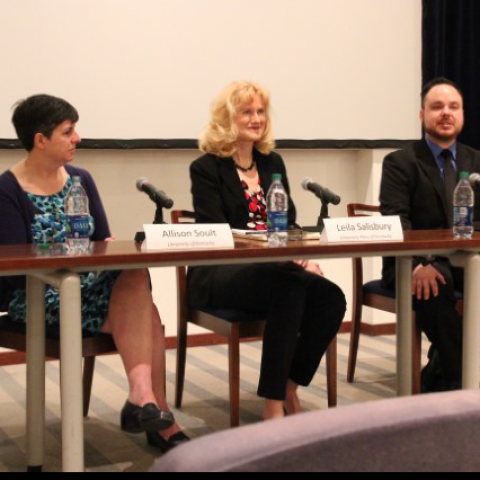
(188,237)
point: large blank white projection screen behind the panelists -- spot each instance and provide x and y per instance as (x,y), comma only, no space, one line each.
(150,68)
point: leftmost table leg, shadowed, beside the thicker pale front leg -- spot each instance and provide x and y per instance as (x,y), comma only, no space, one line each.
(35,374)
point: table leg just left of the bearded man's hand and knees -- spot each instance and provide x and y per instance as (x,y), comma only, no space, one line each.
(404,326)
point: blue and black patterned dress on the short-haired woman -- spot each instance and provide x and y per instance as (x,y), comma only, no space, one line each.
(48,227)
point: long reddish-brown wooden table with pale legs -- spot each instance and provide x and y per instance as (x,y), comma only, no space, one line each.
(55,267)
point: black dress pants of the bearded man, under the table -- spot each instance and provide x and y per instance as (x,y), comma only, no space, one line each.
(441,322)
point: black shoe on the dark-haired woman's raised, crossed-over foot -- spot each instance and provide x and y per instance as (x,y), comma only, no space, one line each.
(149,418)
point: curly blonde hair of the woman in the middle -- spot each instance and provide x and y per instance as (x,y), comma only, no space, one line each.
(221,135)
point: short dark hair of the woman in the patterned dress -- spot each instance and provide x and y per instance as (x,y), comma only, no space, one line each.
(40,114)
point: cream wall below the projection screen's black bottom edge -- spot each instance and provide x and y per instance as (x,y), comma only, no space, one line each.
(354,175)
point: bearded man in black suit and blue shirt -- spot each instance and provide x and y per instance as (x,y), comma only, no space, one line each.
(418,184)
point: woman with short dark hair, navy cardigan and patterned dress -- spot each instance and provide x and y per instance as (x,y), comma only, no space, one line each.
(32,206)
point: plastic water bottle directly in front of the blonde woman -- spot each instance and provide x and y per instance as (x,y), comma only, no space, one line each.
(277,210)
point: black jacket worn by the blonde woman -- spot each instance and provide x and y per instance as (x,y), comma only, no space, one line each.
(218,197)
